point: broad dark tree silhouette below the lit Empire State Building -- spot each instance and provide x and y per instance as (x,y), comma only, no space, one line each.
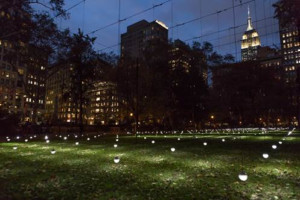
(248,94)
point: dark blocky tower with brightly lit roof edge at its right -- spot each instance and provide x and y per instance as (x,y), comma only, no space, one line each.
(135,40)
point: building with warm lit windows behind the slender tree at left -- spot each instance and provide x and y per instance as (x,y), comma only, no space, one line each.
(102,107)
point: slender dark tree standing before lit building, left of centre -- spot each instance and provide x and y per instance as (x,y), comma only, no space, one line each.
(82,59)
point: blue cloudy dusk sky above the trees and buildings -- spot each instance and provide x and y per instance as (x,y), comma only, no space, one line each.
(216,28)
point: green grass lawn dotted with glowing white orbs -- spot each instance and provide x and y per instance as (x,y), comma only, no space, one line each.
(150,171)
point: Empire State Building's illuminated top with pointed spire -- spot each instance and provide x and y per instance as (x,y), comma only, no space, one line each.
(250,42)
